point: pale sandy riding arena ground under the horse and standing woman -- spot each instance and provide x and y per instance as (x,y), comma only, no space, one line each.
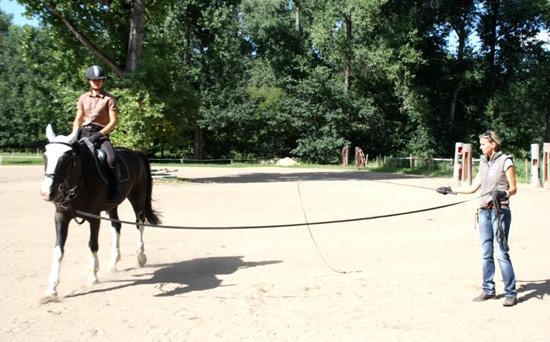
(408,278)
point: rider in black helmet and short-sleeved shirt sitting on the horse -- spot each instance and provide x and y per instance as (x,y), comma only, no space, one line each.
(96,117)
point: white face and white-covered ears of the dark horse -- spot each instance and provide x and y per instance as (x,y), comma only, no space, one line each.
(54,150)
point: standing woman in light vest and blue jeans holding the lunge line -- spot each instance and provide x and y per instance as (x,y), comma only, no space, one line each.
(497,180)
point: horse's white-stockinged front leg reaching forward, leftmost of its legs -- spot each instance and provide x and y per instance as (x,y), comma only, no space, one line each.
(62,220)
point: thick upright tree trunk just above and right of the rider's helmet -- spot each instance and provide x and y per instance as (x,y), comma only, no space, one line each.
(135,39)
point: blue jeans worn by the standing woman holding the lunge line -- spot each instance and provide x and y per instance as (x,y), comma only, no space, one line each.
(488,224)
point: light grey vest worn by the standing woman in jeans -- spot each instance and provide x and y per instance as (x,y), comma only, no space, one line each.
(493,177)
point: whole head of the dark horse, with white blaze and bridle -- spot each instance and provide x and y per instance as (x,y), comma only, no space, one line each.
(62,165)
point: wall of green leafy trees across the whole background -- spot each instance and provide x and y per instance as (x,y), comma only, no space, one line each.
(277,78)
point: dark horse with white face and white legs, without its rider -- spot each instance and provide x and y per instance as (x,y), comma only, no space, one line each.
(74,182)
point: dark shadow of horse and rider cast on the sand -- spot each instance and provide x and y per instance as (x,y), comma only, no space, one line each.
(183,277)
